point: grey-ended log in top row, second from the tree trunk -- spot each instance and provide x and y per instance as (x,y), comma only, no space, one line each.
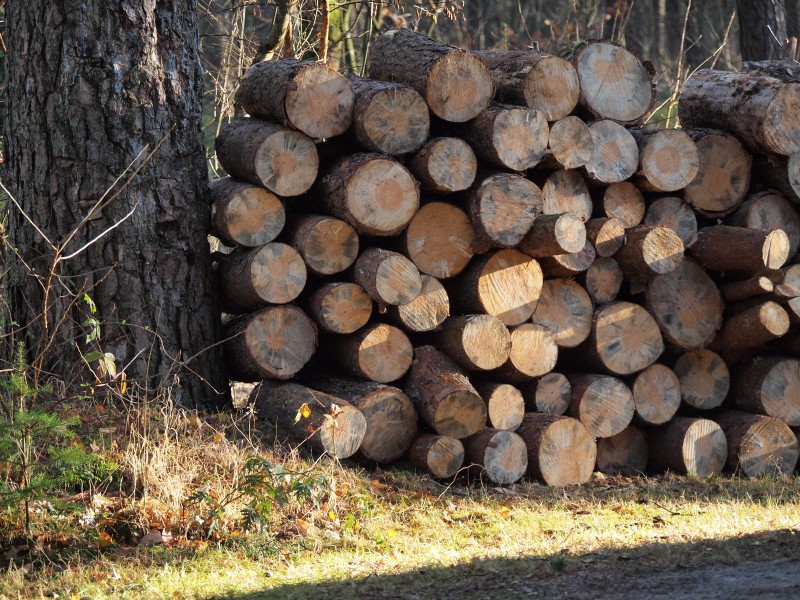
(388,117)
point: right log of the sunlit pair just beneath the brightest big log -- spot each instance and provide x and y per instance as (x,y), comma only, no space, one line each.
(533,353)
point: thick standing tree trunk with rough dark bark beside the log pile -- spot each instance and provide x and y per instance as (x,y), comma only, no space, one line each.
(88,95)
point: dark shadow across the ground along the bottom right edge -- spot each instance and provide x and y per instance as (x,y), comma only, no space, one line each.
(753,567)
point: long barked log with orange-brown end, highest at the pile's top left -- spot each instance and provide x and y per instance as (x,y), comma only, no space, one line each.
(454,83)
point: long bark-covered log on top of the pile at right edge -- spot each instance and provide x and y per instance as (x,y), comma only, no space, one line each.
(762,111)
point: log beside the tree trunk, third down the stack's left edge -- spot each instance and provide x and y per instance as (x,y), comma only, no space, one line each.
(243,214)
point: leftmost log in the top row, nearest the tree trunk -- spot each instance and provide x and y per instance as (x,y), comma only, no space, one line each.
(309,96)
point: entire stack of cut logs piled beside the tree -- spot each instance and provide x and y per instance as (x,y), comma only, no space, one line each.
(483,259)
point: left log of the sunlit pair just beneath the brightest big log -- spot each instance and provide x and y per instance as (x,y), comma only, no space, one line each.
(475,342)
